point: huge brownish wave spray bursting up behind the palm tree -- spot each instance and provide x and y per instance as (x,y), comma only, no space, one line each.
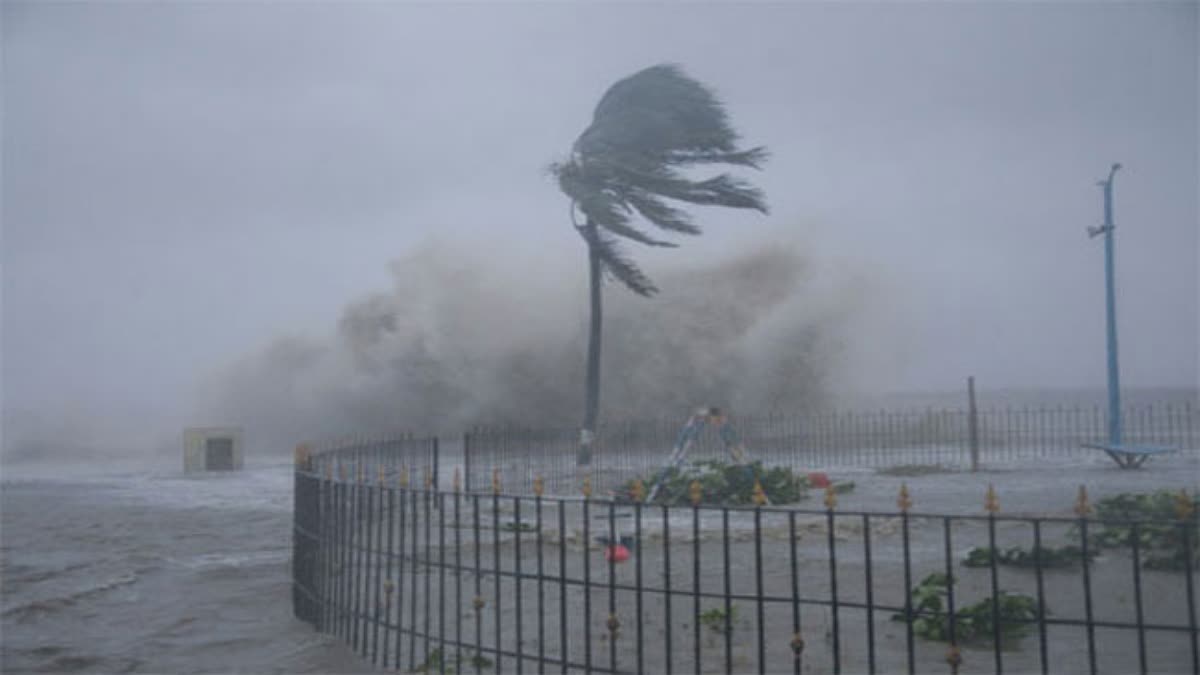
(465,339)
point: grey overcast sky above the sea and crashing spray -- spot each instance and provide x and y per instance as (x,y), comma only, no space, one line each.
(184,183)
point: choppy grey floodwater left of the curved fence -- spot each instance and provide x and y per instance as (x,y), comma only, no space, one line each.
(145,571)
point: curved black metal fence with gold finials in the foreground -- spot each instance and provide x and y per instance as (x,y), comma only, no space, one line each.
(422,580)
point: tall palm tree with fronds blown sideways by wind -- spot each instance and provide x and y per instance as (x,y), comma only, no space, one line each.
(647,130)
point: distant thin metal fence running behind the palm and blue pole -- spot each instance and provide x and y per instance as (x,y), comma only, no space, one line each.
(819,441)
